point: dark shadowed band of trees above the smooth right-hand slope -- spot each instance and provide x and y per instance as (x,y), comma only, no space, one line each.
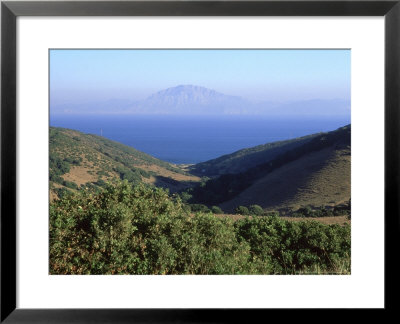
(217,190)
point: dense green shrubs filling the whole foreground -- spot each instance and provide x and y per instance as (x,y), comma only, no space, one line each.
(127,229)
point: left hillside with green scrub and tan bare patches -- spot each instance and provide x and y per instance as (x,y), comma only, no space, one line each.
(80,160)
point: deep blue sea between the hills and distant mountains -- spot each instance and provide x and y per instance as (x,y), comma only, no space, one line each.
(195,139)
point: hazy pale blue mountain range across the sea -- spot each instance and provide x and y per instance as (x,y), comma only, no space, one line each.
(196,100)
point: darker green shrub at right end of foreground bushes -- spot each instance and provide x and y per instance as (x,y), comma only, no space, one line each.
(289,247)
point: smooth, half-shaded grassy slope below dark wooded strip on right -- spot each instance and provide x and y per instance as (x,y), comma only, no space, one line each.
(319,178)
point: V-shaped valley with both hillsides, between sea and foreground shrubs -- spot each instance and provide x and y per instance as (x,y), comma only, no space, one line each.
(311,172)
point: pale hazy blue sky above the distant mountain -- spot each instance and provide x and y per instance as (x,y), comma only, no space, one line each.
(272,75)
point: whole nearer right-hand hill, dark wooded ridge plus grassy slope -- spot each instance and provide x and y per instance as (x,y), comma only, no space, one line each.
(315,158)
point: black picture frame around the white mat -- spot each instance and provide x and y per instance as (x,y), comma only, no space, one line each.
(10,10)
